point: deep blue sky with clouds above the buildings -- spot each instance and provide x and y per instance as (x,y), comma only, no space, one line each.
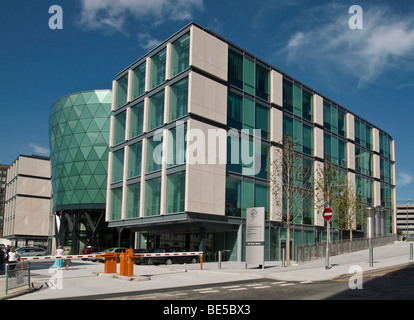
(369,71)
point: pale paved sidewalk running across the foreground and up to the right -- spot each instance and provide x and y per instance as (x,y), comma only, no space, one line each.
(88,279)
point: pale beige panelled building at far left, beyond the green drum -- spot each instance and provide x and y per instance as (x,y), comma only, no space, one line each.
(28,201)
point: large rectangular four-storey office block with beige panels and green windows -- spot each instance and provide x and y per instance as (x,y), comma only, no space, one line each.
(175,179)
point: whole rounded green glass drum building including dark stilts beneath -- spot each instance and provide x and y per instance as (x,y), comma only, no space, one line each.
(79,144)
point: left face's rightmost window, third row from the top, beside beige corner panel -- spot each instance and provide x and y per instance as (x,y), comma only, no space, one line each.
(177,145)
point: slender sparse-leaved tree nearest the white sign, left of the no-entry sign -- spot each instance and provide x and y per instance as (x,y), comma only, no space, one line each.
(292,186)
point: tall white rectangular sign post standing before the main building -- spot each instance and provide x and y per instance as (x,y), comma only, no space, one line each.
(255,236)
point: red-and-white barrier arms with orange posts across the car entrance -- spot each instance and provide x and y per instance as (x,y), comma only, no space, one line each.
(126,259)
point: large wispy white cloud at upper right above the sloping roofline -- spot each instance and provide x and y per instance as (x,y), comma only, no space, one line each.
(386,42)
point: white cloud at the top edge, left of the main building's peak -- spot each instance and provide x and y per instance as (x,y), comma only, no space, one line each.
(113,14)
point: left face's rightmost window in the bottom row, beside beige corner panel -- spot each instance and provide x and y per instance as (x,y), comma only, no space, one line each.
(175,192)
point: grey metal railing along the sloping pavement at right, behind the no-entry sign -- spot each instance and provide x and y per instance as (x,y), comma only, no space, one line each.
(308,252)
